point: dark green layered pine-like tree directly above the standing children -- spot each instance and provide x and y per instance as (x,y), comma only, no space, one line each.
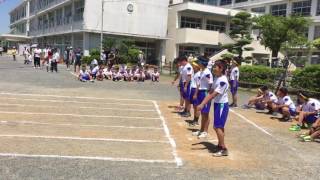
(241,25)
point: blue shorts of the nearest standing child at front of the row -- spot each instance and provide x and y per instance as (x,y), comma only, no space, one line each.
(221,111)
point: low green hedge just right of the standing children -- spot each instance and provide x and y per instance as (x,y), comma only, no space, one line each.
(260,75)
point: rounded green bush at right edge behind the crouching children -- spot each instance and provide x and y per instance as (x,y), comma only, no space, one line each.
(307,78)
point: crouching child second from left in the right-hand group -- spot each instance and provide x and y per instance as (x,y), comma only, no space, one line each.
(284,105)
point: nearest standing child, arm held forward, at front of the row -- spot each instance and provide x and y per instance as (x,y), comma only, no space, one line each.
(221,105)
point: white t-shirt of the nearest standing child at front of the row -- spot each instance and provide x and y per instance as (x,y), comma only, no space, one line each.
(221,85)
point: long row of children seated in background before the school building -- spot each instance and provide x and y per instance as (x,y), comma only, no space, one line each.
(121,73)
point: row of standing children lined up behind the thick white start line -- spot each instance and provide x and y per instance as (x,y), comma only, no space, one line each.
(198,86)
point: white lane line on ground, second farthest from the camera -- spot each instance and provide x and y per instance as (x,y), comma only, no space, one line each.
(81,107)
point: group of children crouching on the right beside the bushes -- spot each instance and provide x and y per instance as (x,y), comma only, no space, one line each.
(306,112)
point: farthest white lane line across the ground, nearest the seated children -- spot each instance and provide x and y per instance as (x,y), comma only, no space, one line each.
(76,97)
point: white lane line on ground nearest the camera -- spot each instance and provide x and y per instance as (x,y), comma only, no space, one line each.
(87,158)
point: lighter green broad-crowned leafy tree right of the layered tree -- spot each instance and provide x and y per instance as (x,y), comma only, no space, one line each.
(278,31)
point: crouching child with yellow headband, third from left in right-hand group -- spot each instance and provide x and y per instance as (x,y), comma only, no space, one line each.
(308,113)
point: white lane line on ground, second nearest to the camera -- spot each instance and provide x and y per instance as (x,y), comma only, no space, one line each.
(80,138)
